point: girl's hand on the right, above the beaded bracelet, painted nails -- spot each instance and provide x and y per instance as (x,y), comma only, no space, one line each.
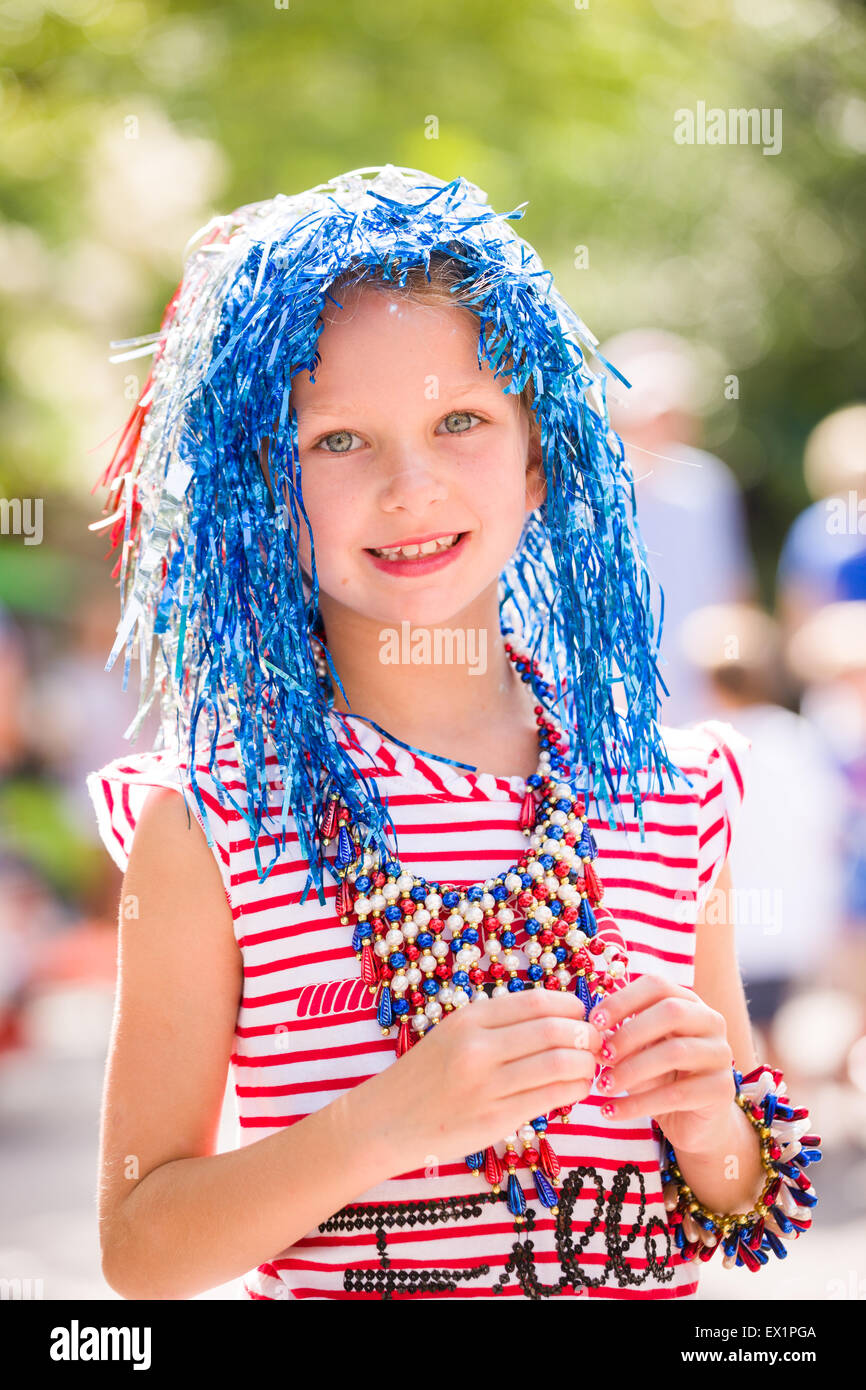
(672,1057)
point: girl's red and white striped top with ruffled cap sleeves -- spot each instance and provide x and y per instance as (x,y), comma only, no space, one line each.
(307,1027)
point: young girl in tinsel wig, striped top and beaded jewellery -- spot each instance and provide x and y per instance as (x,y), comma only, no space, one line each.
(480,1001)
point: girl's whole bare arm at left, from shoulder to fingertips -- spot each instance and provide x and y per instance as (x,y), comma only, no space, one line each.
(176,1218)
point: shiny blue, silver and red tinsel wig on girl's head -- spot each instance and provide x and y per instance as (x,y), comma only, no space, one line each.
(209,572)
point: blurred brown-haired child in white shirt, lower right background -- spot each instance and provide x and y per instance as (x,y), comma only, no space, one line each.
(787,853)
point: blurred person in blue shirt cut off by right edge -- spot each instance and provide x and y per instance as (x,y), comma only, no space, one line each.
(824,557)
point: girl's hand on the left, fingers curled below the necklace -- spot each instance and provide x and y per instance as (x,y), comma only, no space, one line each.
(484,1071)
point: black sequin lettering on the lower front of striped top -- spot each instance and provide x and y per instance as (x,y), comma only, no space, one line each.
(607,1216)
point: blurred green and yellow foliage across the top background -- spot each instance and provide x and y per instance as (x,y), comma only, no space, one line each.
(568,108)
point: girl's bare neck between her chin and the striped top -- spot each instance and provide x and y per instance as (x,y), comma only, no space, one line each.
(440,687)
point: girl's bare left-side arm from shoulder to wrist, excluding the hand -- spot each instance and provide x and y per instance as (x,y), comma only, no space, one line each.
(176,1218)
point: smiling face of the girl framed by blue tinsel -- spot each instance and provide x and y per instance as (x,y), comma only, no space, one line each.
(404,440)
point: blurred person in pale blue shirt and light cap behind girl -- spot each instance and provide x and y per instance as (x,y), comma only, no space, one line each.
(689,502)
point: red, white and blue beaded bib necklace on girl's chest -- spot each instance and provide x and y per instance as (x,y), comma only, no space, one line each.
(422,945)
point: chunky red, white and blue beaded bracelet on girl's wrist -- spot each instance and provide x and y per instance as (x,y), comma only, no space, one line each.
(785,1209)
